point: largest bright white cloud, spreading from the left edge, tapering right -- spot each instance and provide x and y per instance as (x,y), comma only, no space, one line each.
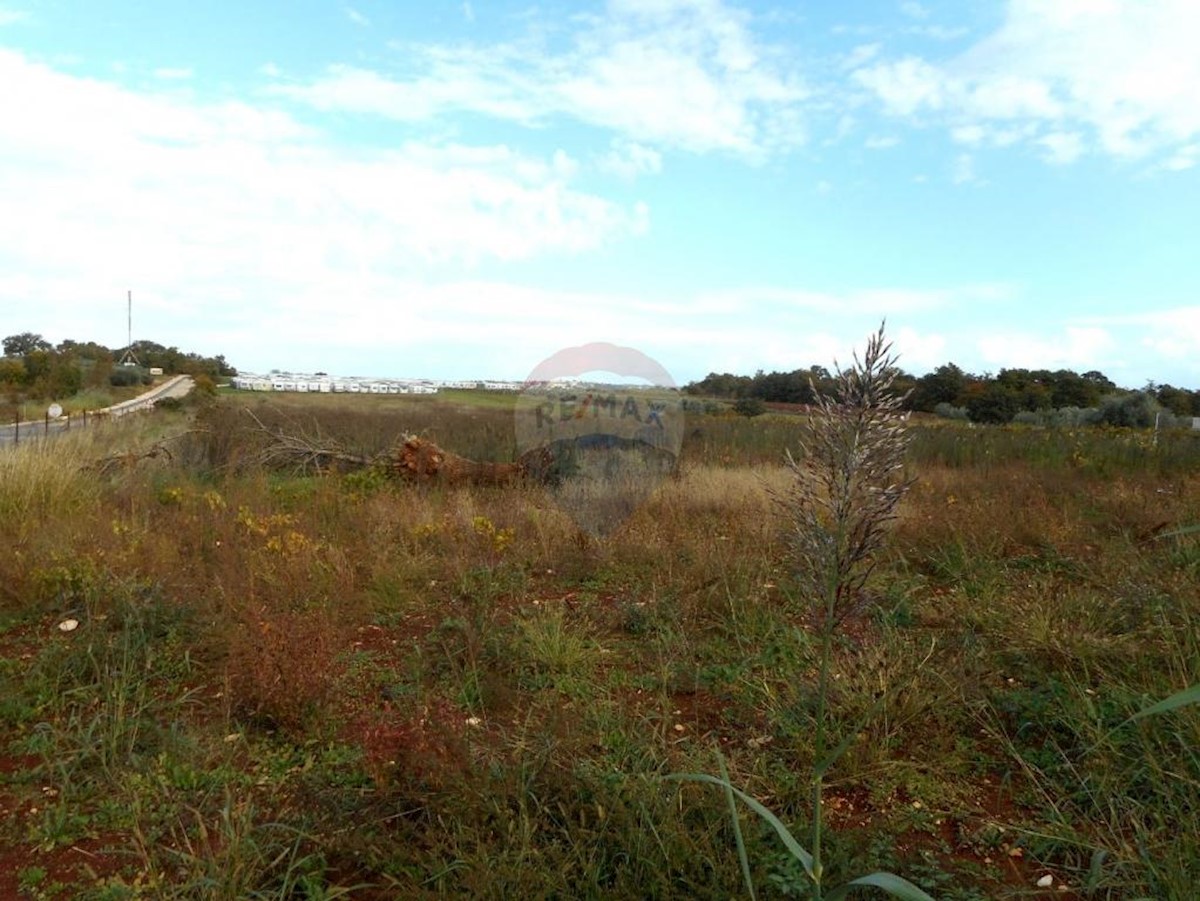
(220,205)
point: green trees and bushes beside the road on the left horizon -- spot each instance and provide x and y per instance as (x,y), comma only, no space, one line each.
(34,369)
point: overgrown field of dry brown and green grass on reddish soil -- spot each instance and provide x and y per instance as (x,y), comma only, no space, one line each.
(334,687)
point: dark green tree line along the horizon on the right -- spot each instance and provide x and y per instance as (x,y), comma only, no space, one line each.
(1059,397)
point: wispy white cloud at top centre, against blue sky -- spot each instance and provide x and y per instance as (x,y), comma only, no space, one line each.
(681,74)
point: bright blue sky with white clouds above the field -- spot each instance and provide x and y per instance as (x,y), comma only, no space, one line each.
(461,190)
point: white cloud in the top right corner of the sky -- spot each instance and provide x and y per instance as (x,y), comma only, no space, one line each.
(1123,77)
